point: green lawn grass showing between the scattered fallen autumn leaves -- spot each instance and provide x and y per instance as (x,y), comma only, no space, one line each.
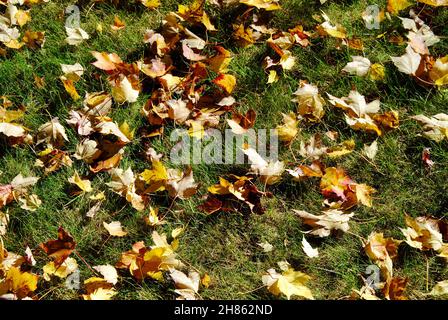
(225,245)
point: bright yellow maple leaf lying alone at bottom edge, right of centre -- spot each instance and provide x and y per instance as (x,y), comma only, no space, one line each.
(289,282)
